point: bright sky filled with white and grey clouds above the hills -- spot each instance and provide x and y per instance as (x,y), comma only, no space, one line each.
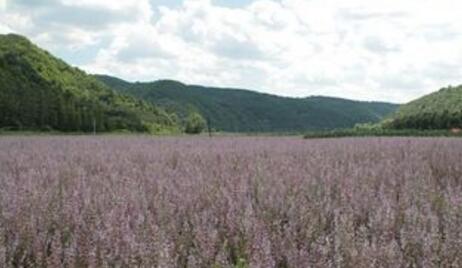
(391,50)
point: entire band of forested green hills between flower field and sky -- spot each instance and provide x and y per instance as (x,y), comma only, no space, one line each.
(41,92)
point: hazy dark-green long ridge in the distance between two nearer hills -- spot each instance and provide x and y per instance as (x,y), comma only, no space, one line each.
(247,111)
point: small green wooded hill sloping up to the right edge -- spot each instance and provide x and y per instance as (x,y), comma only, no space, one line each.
(439,110)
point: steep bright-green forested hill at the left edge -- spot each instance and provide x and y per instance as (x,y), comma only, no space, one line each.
(41,92)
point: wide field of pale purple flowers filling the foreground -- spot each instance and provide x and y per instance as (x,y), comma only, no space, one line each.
(230,202)
